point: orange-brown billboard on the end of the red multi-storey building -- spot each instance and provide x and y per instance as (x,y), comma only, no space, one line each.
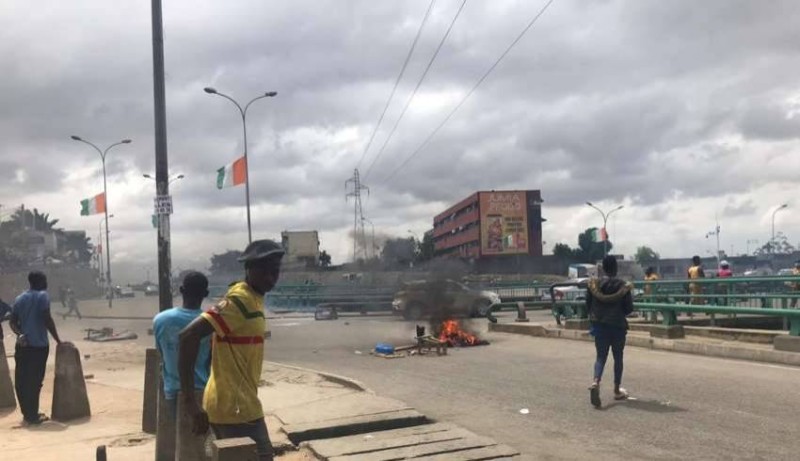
(504,223)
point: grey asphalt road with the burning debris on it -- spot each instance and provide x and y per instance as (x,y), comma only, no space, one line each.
(685,407)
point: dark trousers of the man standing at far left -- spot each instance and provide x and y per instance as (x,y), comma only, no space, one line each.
(28,378)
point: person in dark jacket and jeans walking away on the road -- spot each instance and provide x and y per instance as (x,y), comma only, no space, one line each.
(609,302)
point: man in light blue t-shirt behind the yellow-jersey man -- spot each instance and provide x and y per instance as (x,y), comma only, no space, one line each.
(167,326)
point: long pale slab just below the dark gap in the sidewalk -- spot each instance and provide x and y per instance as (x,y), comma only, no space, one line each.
(336,447)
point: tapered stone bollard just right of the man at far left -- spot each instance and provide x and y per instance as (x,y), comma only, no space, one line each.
(70,399)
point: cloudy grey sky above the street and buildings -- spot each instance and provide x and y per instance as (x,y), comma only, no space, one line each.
(684,112)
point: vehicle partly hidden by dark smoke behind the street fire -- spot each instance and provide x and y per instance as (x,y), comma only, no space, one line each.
(420,299)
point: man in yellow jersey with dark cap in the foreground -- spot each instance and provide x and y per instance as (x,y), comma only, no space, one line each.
(230,402)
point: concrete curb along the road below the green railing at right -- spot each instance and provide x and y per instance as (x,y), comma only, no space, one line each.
(673,345)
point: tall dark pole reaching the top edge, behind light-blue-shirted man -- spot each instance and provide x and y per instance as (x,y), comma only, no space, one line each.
(162,161)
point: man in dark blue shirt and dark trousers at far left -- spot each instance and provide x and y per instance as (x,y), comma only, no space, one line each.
(31,321)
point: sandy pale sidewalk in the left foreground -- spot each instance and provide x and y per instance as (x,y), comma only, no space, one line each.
(310,416)
